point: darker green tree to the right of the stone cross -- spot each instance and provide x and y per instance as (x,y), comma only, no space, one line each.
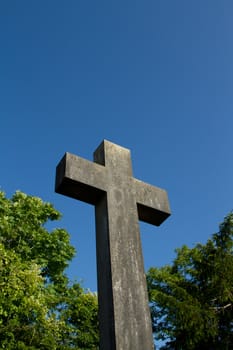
(192,300)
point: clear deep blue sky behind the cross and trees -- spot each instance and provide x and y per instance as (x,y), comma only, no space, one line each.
(152,76)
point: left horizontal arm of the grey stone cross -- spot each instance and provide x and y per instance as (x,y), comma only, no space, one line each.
(80,179)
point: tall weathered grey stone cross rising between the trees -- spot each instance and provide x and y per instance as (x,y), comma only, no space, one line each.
(120,201)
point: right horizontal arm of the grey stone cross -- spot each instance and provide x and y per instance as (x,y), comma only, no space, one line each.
(152,203)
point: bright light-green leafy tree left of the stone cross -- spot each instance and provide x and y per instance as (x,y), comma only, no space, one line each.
(39,307)
